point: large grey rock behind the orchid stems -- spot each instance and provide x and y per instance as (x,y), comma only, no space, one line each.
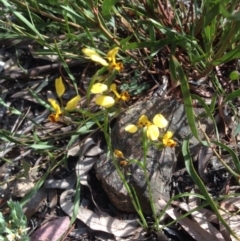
(160,164)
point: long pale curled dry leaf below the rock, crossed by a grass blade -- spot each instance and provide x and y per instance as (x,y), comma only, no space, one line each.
(118,228)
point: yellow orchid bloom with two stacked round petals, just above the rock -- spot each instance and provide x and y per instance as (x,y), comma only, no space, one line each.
(108,101)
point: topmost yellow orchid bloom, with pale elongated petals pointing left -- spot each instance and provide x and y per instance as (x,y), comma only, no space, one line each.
(111,56)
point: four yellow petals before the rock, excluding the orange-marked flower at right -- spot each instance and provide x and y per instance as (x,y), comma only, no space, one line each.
(152,129)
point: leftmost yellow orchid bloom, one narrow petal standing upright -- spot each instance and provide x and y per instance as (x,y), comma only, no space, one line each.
(71,104)
